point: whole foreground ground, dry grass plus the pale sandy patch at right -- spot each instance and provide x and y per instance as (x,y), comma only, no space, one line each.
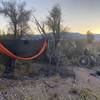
(83,87)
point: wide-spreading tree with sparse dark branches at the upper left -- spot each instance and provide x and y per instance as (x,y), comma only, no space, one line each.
(17,14)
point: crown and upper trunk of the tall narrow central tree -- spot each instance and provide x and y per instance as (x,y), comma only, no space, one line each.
(54,23)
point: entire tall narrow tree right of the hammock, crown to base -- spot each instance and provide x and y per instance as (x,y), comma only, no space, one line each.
(54,25)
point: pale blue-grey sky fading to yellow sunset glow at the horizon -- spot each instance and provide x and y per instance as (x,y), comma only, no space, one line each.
(79,15)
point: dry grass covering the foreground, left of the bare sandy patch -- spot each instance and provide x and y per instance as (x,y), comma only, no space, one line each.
(54,88)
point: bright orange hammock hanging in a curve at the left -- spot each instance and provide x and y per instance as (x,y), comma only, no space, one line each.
(5,51)
